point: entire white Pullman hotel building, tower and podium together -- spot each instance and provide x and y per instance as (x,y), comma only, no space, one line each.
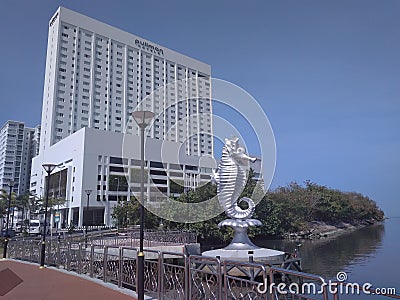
(95,77)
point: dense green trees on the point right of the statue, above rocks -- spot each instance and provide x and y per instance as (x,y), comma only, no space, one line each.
(301,205)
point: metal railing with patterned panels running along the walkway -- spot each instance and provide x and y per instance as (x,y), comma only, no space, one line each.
(176,276)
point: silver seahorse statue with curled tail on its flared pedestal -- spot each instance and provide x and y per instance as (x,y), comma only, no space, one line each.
(231,178)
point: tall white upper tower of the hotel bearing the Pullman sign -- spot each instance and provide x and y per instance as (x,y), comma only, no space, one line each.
(96,75)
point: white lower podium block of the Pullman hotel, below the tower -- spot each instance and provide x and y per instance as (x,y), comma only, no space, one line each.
(108,164)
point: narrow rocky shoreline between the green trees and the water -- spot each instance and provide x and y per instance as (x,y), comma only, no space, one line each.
(317,230)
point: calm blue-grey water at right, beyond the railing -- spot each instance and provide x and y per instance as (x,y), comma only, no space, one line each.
(367,255)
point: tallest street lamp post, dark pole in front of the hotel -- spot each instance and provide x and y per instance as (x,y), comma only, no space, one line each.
(143,119)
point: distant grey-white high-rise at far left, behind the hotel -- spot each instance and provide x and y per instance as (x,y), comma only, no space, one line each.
(18,145)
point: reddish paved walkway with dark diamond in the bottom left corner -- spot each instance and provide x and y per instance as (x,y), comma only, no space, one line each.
(20,281)
